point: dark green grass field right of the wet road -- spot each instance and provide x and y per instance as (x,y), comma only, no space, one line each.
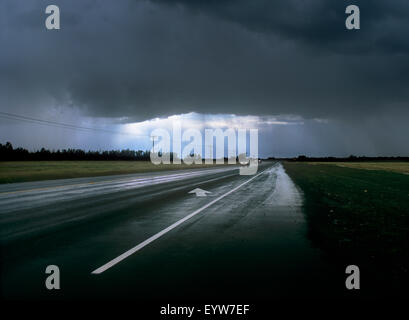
(359,216)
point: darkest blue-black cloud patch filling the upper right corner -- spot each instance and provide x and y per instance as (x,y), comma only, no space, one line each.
(317,23)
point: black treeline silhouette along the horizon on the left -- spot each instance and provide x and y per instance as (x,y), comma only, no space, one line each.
(8,153)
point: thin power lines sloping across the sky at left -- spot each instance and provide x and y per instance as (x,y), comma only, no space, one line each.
(11,116)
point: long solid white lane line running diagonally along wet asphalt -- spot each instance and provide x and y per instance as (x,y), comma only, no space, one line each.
(164,231)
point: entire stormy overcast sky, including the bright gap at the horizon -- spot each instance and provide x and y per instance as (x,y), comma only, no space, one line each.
(289,68)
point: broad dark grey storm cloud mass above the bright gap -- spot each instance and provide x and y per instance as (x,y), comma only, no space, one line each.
(142,59)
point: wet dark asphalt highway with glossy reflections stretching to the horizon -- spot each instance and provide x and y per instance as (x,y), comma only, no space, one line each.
(145,237)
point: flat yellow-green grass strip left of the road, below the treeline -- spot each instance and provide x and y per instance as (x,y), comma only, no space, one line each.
(21,171)
